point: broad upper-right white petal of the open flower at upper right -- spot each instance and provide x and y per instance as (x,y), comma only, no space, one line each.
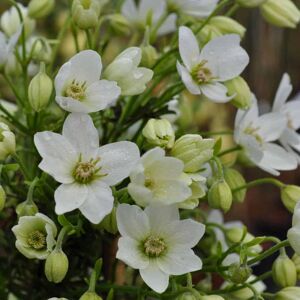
(225,57)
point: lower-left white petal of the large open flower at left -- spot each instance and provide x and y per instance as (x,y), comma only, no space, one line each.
(69,197)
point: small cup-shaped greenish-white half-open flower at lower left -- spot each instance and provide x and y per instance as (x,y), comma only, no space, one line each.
(35,236)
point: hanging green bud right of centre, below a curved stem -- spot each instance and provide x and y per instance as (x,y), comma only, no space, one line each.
(220,196)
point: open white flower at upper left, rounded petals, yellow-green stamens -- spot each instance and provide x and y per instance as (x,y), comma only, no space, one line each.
(78,85)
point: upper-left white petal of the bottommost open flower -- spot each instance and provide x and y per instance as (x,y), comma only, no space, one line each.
(132,222)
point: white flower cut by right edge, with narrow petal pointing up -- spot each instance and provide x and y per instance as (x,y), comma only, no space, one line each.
(289,138)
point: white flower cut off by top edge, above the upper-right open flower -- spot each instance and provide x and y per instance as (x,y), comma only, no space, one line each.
(195,8)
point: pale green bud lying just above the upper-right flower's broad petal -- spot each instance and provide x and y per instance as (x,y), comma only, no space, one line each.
(227,25)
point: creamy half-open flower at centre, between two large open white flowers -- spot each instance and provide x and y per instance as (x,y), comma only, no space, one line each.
(159,179)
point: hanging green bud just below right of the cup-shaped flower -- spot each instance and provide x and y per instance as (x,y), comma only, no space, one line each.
(56,266)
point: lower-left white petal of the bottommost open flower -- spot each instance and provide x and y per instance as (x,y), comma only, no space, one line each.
(130,254)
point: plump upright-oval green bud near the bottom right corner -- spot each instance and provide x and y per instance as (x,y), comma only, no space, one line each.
(284,271)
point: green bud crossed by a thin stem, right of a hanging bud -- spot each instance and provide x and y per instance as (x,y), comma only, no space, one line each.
(235,179)
